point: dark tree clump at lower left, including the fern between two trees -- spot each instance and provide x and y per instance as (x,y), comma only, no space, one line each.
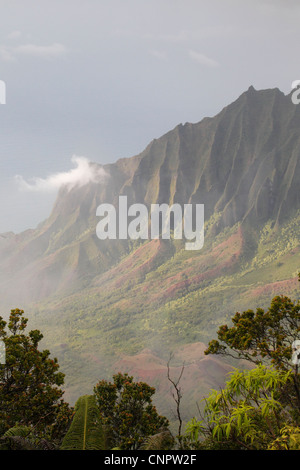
(33,415)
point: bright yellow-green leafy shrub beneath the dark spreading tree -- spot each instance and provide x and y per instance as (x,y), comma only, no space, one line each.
(248,414)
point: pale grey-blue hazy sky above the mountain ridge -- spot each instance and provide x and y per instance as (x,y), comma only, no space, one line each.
(101,78)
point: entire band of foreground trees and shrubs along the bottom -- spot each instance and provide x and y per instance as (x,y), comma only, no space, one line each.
(258,409)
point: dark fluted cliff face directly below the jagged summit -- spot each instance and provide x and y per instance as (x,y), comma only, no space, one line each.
(243,163)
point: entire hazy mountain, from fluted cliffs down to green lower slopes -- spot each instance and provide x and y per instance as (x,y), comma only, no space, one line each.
(105,305)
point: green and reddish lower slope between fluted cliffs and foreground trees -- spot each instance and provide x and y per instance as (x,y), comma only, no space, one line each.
(160,299)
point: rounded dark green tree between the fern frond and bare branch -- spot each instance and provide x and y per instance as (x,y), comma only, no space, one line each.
(127,411)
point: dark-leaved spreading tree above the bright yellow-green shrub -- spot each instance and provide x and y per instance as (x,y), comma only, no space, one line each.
(265,337)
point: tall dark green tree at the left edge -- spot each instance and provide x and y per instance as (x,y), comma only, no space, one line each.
(30,383)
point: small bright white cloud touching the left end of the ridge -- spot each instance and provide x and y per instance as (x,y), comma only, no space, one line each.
(84,173)
